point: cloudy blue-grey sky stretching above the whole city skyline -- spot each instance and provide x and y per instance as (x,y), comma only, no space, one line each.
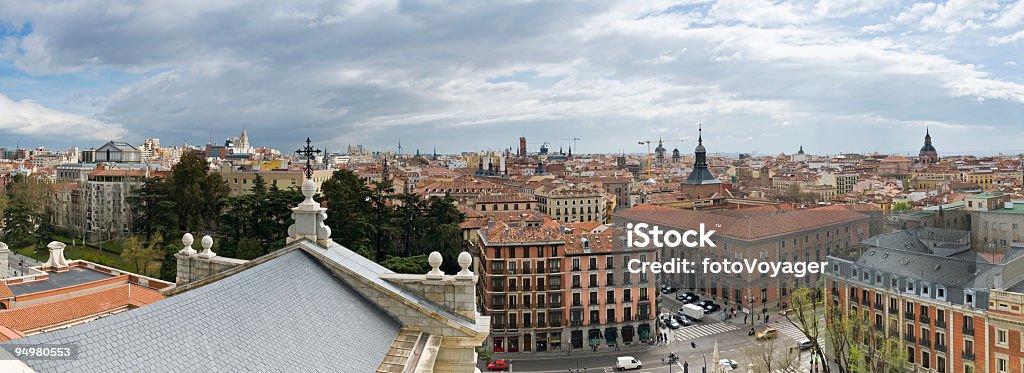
(763,76)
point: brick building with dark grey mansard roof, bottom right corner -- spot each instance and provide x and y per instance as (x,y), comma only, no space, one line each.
(927,291)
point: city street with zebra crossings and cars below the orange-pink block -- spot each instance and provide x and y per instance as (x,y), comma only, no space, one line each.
(732,337)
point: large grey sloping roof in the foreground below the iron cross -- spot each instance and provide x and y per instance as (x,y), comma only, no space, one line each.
(287,315)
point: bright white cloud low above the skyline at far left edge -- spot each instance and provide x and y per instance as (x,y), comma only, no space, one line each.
(26,118)
